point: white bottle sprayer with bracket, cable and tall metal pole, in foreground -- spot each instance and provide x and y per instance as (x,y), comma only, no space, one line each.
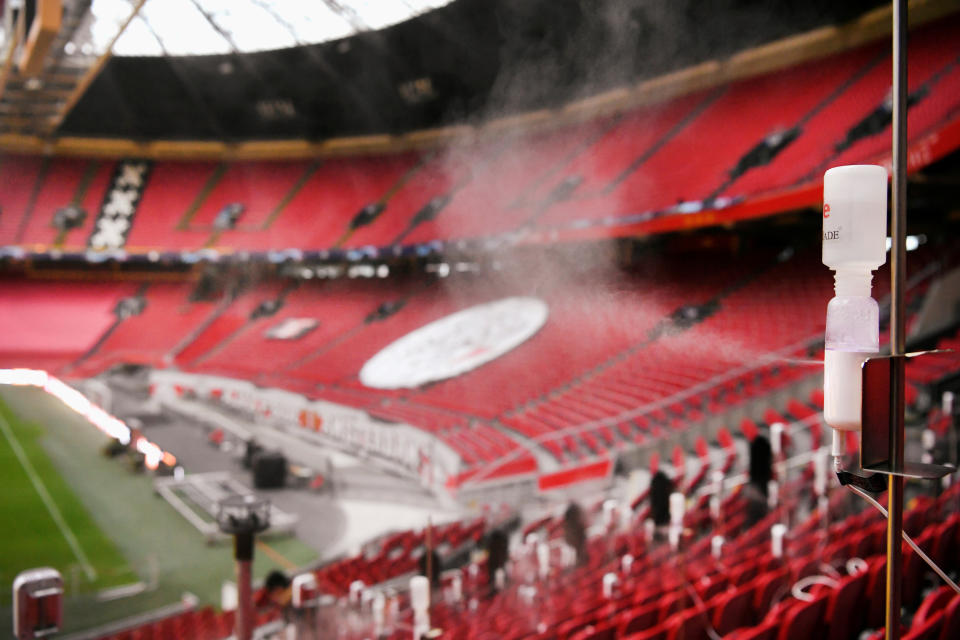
(864,391)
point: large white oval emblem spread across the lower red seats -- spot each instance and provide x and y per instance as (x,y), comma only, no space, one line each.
(455,344)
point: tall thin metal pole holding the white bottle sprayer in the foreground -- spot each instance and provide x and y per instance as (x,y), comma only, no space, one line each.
(898,219)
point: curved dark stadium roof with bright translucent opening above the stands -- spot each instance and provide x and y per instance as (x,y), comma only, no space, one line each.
(234,70)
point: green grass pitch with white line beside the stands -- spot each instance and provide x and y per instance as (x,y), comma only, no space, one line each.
(122,527)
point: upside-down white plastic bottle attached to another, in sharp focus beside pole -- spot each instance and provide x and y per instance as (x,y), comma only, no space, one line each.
(854,244)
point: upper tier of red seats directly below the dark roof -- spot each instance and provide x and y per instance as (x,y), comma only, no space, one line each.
(769,134)
